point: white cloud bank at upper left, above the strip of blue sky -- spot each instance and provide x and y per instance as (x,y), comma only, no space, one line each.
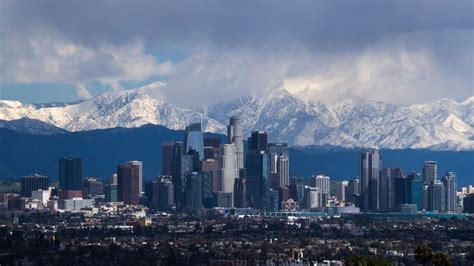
(45,57)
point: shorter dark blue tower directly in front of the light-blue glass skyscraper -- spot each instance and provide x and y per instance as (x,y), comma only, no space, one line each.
(194,191)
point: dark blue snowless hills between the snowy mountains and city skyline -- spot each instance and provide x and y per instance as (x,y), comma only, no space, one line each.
(102,150)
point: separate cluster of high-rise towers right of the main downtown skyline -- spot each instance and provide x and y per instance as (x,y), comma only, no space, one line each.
(386,189)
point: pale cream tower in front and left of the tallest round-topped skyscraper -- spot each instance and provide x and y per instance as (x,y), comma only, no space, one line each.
(227,167)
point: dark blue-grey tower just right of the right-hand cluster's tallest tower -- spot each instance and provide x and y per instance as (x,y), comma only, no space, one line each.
(387,187)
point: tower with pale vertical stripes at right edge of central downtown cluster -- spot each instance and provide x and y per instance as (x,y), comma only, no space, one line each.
(279,162)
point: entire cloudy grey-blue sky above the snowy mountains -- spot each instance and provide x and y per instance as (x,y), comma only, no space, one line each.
(402,52)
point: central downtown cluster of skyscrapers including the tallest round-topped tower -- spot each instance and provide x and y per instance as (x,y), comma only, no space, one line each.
(203,172)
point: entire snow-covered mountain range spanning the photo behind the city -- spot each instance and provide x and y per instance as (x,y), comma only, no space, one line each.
(351,122)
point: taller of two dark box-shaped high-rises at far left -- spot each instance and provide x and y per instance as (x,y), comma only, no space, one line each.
(70,174)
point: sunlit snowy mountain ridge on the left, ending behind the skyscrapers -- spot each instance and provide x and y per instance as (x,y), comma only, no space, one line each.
(127,108)
